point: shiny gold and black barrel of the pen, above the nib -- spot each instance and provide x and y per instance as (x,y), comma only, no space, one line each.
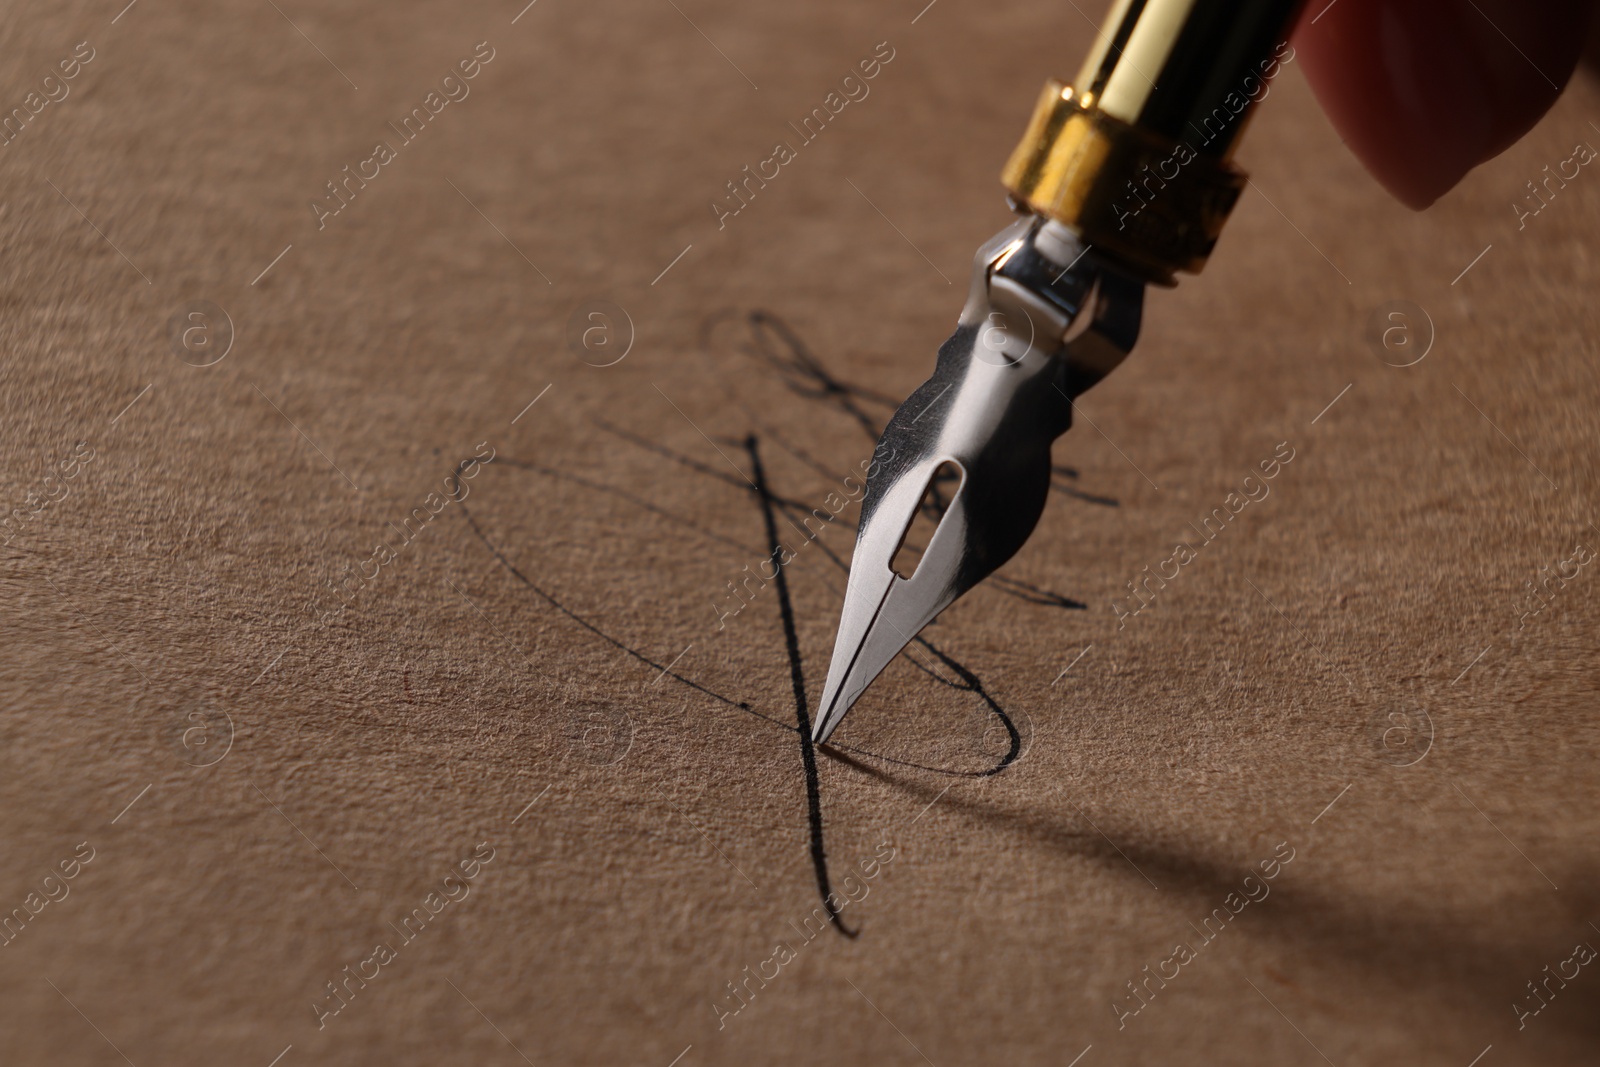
(1137,156)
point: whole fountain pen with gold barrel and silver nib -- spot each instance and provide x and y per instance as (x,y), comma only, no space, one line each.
(1122,180)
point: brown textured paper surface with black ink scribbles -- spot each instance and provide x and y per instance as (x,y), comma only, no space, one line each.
(287,713)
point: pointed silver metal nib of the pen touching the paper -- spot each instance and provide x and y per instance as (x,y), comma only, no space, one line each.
(1044,321)
